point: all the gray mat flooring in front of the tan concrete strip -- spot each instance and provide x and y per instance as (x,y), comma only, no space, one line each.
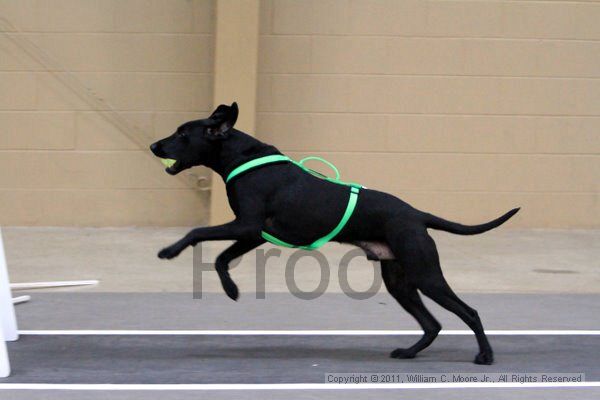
(177,359)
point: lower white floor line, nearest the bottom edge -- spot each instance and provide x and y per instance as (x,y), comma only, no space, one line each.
(291,386)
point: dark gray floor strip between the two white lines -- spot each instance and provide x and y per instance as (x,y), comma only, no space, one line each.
(280,359)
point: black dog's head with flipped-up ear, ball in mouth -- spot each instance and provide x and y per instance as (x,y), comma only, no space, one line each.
(197,142)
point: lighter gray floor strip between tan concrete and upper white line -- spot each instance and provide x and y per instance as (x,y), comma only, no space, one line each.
(284,311)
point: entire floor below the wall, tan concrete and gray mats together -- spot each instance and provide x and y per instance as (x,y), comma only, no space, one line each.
(517,279)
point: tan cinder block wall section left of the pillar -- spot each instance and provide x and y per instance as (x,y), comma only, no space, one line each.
(61,162)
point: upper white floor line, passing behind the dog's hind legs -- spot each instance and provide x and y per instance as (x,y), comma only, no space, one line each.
(301,332)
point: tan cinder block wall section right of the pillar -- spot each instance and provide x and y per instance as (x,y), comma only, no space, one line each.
(463,108)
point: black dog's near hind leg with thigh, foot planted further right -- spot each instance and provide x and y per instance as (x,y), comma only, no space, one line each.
(417,253)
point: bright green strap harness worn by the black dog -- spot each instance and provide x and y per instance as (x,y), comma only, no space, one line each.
(354,189)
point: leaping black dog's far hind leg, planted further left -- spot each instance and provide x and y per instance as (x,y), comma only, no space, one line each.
(407,296)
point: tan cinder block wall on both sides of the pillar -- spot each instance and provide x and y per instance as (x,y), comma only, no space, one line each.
(463,108)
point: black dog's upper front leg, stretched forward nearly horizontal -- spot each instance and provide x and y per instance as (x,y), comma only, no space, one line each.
(234,230)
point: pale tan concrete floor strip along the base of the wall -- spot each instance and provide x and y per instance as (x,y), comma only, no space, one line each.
(124,259)
